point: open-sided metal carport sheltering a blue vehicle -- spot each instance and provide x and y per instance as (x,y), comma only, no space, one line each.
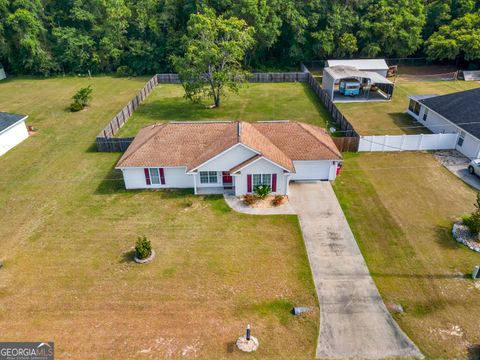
(370,84)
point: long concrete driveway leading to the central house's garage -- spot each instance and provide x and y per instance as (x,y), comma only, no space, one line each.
(354,322)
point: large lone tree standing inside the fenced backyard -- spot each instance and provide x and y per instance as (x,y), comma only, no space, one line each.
(214,48)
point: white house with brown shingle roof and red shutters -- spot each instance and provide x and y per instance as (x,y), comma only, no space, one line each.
(228,156)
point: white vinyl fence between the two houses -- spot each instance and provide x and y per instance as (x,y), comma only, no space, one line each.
(408,142)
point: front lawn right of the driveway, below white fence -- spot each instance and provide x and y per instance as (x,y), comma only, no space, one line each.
(401,207)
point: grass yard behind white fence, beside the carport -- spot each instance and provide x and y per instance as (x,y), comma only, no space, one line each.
(390,117)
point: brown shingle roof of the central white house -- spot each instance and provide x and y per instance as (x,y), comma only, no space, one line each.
(191,144)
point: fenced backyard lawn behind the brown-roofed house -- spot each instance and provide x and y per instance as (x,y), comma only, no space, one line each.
(265,101)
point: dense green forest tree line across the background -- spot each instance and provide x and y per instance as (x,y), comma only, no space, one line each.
(133,37)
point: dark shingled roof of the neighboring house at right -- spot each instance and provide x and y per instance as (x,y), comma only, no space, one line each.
(461,108)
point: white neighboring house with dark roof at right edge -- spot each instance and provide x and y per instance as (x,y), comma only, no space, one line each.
(457,113)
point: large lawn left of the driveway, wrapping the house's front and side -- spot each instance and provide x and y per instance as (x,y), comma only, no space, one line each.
(68,230)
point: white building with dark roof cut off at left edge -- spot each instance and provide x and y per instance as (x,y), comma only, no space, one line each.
(12,131)
